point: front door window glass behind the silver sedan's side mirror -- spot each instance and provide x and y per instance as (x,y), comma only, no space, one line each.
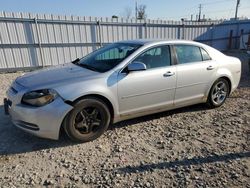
(156,57)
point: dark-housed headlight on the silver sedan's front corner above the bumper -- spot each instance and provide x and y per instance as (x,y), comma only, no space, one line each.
(39,97)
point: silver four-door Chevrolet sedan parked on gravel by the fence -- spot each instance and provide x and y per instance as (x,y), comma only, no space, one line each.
(120,81)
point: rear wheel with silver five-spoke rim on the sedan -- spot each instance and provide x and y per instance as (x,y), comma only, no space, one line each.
(218,93)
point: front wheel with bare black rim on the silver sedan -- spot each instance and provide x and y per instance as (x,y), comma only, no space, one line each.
(88,120)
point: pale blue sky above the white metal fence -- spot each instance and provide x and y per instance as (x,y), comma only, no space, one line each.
(155,9)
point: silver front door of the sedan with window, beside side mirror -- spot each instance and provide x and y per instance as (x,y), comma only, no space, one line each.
(149,89)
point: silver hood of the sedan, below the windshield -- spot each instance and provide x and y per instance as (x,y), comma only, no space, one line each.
(55,76)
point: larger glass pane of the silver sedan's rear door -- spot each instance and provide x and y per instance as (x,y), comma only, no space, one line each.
(188,54)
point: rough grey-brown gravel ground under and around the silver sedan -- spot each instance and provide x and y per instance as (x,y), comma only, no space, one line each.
(189,147)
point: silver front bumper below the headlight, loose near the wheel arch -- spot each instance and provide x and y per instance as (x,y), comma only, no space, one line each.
(42,121)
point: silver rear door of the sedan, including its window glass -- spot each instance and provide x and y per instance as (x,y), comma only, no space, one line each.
(195,70)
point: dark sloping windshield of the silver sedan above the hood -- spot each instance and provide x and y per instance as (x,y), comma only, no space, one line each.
(107,57)
